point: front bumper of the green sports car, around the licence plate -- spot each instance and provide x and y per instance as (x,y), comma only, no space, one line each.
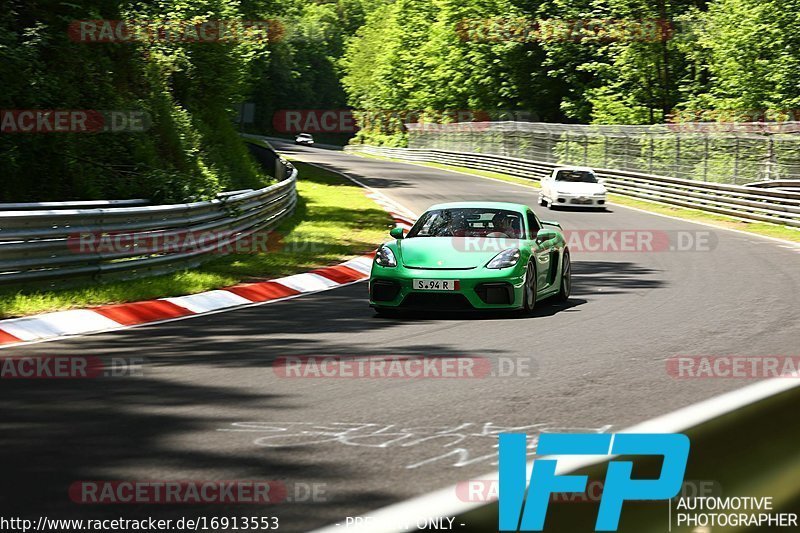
(479,288)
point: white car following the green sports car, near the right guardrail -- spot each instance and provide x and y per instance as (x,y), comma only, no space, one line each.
(573,187)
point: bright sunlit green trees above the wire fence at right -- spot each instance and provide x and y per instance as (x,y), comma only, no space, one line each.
(601,61)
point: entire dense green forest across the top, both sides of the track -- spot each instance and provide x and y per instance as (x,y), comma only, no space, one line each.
(599,61)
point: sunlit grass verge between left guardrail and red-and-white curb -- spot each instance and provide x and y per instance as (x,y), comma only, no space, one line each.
(334,221)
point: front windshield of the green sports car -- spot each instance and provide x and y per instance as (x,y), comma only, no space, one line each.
(469,222)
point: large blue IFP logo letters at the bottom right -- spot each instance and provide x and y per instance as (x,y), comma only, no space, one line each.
(619,486)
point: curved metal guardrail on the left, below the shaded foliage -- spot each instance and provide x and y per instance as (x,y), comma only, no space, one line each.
(45,246)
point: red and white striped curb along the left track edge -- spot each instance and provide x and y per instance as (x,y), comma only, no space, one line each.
(50,326)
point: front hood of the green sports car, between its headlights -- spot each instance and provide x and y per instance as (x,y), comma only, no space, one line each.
(445,253)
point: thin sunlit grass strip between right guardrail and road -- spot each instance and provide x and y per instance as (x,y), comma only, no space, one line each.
(759,228)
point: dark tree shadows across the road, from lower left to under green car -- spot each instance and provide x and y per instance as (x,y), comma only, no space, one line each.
(163,425)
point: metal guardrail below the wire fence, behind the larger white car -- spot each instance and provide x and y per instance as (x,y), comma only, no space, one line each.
(745,203)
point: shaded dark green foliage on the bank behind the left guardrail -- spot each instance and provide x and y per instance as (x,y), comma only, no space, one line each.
(190,91)
